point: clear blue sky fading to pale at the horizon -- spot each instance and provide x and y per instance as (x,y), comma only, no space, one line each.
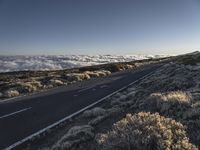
(99,26)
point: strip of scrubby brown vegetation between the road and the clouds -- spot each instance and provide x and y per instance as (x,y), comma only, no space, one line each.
(26,82)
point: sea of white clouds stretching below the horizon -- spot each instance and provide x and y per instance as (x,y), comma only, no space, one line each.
(57,62)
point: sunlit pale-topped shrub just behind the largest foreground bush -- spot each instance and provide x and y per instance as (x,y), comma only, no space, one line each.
(169,104)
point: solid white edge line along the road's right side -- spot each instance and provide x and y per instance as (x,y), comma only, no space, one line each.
(74,114)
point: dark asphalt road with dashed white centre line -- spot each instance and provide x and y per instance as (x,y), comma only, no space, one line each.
(24,116)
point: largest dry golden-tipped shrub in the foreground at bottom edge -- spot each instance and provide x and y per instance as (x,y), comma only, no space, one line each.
(145,131)
